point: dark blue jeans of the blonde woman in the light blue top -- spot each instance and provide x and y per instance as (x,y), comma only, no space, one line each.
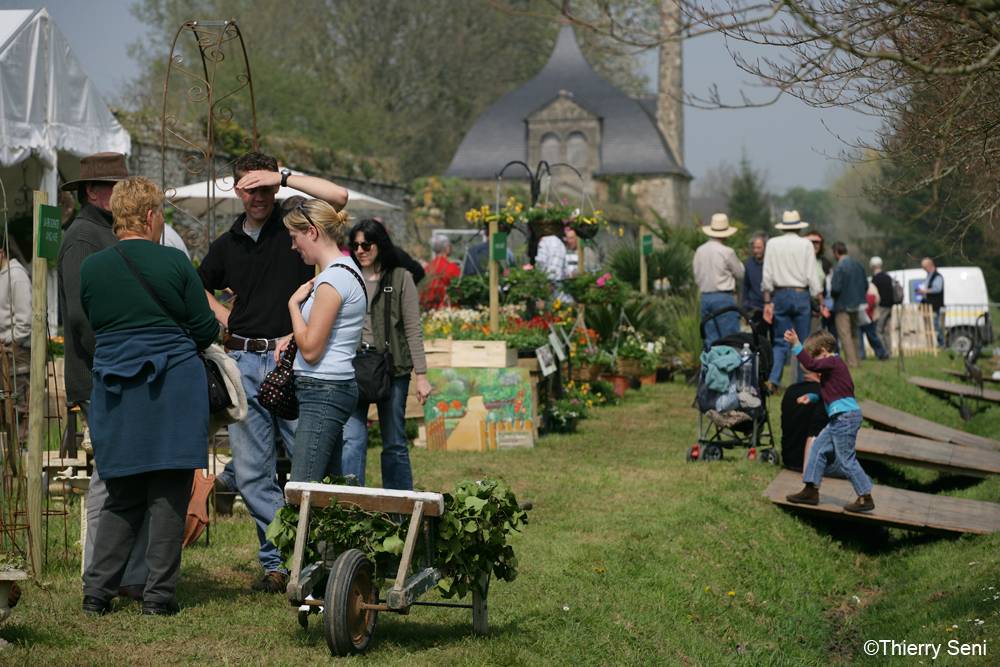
(324,406)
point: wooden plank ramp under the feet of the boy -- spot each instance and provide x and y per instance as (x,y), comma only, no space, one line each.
(897,508)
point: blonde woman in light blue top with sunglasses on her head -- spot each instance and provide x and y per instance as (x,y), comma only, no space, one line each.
(327,315)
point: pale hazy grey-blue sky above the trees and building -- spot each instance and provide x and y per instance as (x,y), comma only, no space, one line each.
(787,141)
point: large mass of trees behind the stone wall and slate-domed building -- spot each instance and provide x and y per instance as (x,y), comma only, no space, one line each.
(392,78)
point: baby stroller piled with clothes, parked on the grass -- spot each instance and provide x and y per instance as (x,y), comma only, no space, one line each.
(732,405)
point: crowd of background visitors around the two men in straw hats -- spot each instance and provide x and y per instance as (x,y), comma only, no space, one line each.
(788,282)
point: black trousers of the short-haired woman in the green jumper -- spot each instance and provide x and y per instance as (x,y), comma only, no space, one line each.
(163,495)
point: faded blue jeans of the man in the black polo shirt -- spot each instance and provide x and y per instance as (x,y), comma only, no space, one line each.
(254,453)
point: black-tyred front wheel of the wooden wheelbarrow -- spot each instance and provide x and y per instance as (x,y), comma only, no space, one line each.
(349,627)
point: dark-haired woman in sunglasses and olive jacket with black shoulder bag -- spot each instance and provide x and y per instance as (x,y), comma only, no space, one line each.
(386,279)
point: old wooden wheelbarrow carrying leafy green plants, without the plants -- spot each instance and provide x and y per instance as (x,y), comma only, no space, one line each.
(352,599)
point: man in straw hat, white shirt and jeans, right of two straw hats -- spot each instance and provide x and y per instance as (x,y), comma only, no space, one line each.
(789,285)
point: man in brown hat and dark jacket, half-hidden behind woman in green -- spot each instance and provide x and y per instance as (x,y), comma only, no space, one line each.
(90,232)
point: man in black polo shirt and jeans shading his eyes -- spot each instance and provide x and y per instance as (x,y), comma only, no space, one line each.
(255,260)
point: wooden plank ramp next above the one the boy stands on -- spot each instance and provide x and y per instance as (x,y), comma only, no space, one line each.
(924,453)
